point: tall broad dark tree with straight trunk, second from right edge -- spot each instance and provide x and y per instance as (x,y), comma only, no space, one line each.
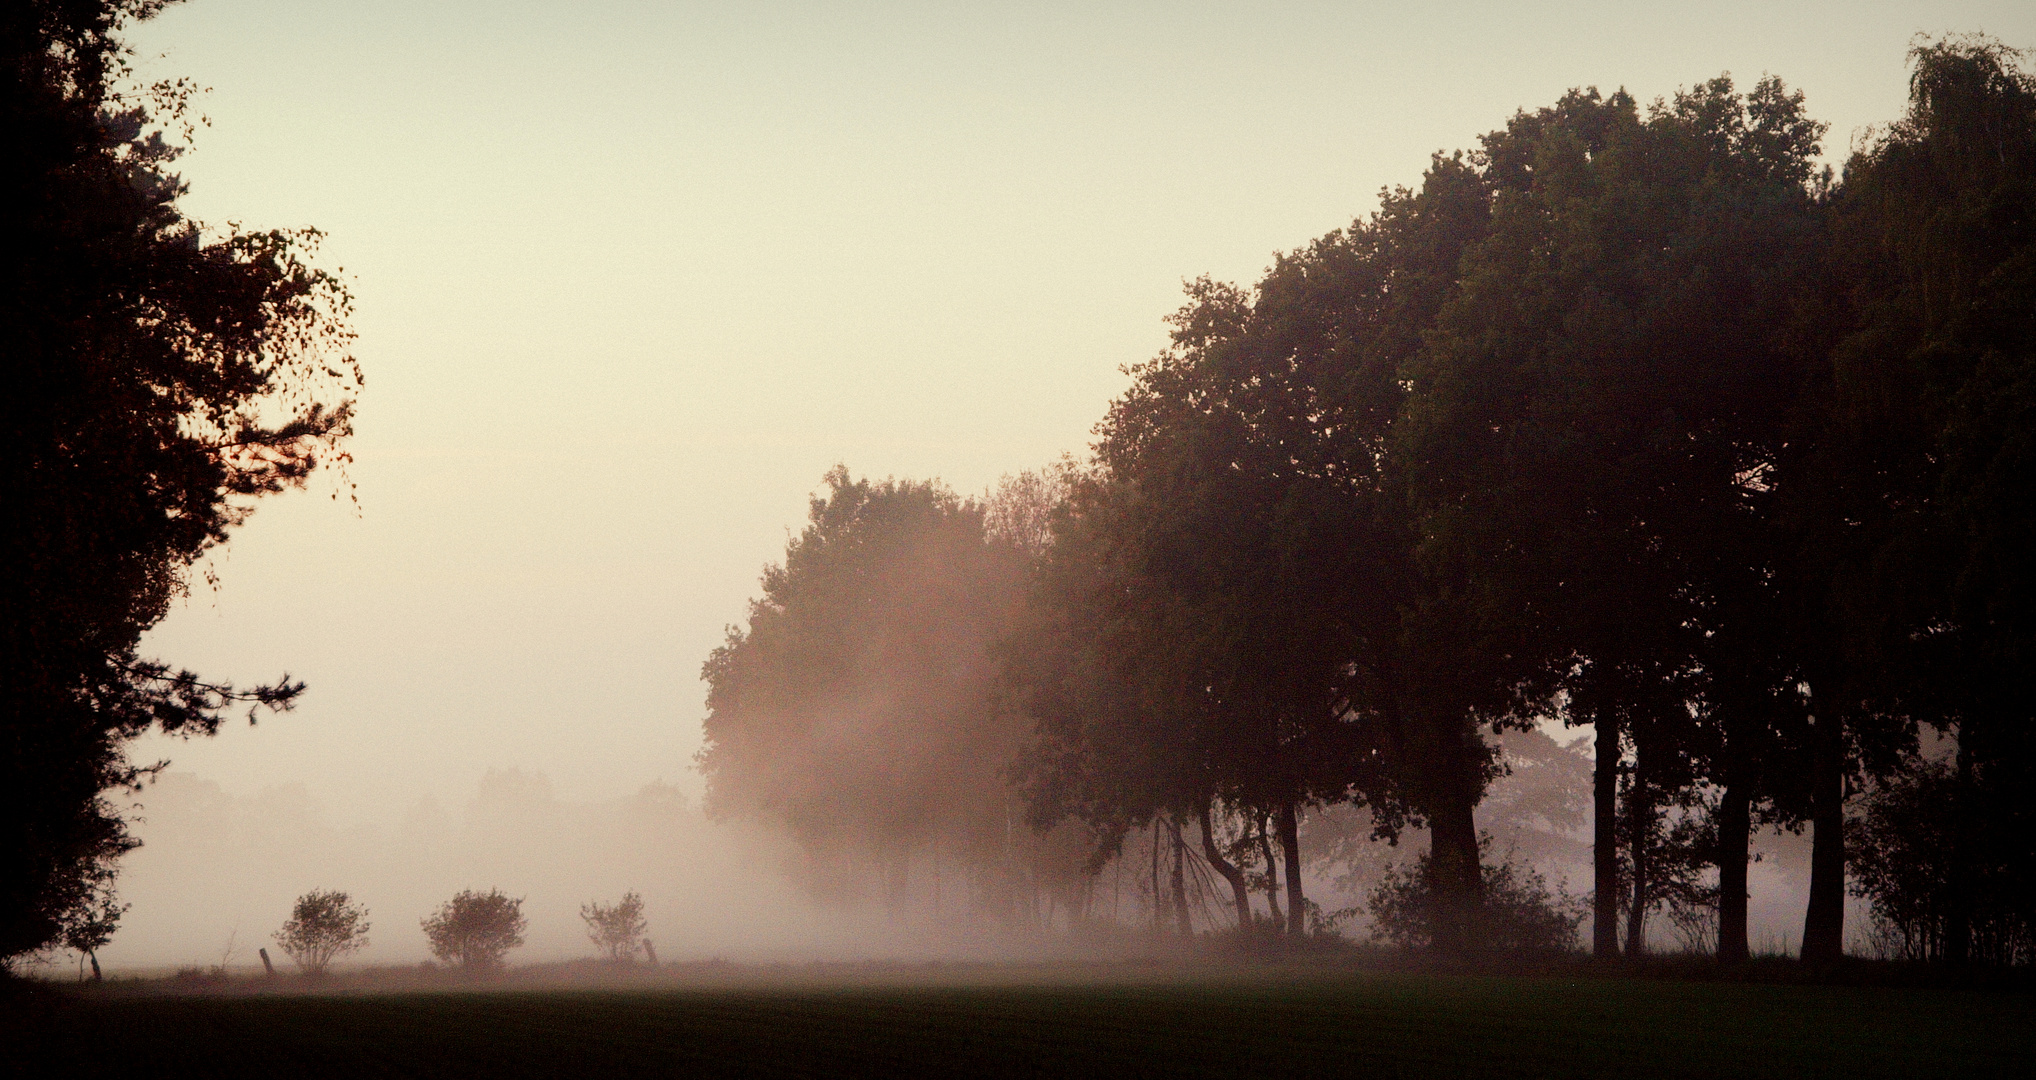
(1599,400)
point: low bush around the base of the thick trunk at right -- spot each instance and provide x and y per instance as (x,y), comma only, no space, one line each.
(1520,910)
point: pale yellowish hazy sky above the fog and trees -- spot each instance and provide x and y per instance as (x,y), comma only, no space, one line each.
(634,276)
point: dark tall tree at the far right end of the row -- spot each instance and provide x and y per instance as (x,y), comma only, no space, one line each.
(1931,413)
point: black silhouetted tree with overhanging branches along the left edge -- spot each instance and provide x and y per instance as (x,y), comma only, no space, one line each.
(160,380)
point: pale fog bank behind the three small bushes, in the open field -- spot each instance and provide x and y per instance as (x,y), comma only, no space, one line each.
(221,871)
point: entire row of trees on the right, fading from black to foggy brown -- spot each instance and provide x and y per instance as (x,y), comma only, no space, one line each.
(1628,419)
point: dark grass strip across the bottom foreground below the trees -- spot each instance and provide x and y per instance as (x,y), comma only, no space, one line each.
(1373,1026)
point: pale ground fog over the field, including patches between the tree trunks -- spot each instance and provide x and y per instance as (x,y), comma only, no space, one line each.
(221,871)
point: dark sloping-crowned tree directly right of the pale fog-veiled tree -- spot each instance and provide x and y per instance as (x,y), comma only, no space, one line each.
(1237,580)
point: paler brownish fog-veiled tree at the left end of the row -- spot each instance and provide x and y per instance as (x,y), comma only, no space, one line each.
(860,708)
